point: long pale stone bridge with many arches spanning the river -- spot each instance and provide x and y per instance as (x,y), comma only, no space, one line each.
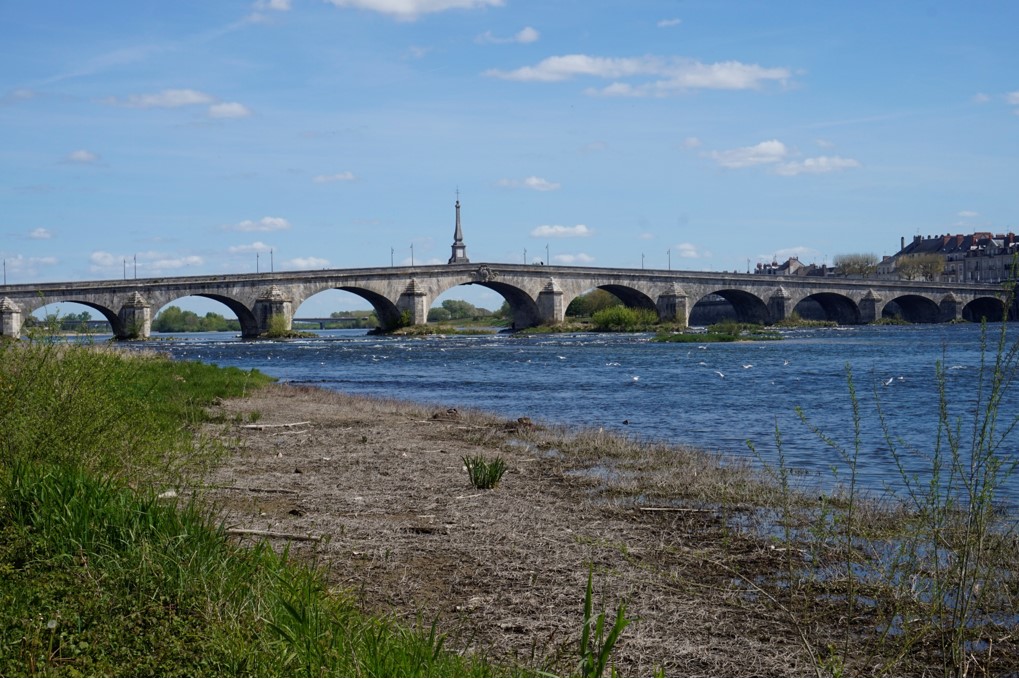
(538,295)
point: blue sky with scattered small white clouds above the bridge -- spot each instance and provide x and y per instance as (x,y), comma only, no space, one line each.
(198,137)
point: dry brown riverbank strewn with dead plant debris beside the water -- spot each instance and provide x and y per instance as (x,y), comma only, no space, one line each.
(504,571)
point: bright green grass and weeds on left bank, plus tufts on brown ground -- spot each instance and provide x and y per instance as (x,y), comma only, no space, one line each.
(104,576)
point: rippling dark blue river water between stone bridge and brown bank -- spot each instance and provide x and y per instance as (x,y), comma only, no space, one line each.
(716,397)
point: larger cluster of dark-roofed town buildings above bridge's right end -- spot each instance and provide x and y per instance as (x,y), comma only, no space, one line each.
(980,257)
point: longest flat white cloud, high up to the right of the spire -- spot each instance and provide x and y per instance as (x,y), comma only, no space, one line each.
(673,74)
